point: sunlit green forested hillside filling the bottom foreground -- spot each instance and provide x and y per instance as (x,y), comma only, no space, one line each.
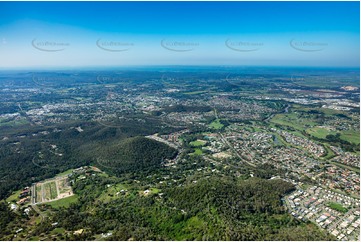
(213,208)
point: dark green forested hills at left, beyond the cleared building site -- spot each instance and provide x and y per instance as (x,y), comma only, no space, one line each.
(27,157)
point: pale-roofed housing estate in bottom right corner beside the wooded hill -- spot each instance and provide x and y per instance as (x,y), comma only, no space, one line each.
(314,205)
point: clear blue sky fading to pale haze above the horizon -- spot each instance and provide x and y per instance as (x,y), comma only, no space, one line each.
(80,34)
